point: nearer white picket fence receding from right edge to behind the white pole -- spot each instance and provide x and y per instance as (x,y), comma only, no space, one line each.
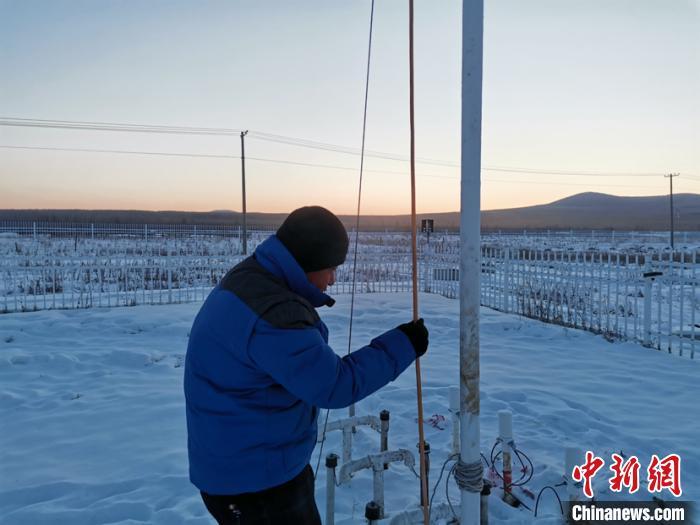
(652,298)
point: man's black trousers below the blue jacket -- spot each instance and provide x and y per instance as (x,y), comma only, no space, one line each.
(292,502)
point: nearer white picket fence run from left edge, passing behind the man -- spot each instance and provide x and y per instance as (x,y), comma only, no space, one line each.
(85,283)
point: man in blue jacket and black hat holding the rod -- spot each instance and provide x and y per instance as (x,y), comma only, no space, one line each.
(259,367)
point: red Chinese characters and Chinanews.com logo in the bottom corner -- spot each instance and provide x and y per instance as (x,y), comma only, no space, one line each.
(660,476)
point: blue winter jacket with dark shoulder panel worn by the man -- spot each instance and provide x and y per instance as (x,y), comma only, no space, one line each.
(258,365)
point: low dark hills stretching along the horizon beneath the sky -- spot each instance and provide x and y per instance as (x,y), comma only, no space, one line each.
(583,211)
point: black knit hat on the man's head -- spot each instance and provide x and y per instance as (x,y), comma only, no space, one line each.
(315,237)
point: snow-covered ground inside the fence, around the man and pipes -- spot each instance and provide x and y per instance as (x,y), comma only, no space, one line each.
(92,412)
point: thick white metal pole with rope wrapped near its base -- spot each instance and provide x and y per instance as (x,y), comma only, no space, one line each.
(470,266)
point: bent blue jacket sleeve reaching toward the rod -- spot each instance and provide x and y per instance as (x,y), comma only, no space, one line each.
(301,361)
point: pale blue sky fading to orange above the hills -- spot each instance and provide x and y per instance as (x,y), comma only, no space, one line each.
(594,95)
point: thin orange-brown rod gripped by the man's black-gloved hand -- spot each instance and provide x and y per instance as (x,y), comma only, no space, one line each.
(414,260)
